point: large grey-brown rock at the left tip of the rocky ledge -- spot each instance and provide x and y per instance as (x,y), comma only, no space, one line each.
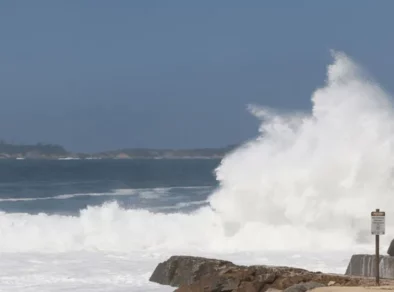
(179,270)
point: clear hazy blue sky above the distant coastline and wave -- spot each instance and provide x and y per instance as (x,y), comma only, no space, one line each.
(96,75)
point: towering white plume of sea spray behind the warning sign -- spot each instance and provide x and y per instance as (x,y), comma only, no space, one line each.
(321,171)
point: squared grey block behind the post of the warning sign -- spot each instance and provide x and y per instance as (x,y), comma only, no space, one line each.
(364,265)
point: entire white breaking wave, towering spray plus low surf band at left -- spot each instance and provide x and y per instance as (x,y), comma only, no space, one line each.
(307,182)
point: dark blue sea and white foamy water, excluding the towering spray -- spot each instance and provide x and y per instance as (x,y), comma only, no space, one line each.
(103,225)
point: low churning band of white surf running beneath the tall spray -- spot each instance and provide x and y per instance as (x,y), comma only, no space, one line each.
(111,228)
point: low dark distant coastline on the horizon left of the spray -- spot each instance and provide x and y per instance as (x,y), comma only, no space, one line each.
(57,152)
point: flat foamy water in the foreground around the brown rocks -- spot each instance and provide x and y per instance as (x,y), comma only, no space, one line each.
(121,272)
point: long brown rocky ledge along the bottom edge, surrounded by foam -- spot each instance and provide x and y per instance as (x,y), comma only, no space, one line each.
(195,274)
